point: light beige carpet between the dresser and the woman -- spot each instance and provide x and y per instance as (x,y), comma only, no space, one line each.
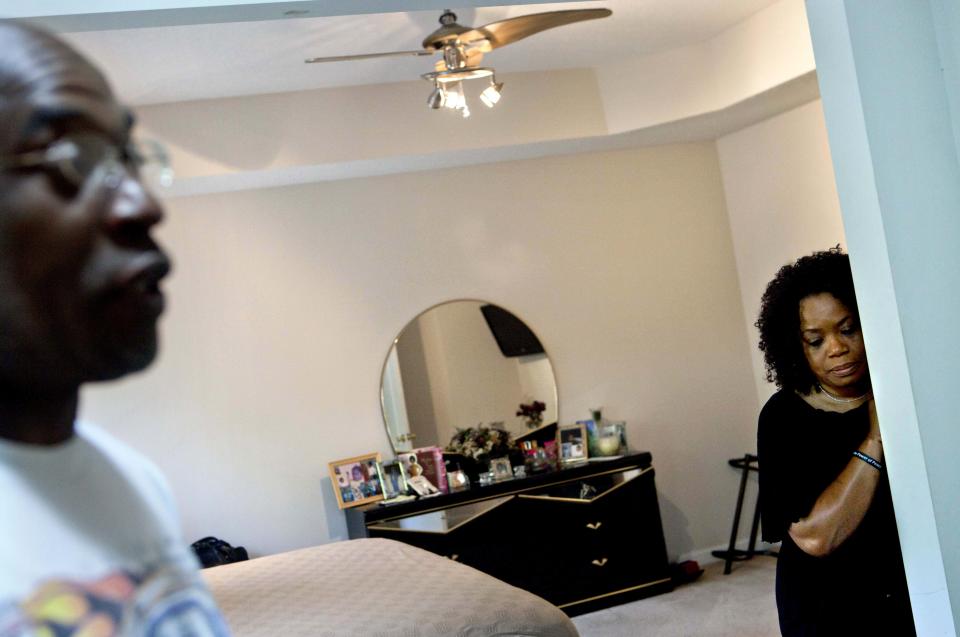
(715,605)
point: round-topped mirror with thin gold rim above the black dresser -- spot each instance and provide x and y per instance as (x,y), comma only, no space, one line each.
(460,364)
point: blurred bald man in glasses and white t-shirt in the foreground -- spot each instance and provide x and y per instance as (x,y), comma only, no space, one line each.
(89,538)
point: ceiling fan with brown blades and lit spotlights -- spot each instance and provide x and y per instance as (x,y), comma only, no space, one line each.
(462,49)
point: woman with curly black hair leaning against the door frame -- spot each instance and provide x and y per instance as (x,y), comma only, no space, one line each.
(823,488)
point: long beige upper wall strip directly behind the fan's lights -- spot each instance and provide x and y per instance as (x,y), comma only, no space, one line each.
(368,122)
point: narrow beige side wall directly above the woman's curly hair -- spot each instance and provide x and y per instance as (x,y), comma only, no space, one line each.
(782,201)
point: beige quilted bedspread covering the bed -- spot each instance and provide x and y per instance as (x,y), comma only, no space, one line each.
(375,588)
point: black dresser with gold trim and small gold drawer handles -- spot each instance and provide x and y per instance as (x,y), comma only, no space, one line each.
(583,537)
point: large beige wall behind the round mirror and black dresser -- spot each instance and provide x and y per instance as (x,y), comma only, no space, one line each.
(285,302)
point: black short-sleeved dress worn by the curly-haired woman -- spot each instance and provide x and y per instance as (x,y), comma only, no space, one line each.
(859,588)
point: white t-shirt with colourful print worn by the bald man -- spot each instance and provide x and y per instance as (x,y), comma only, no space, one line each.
(89,538)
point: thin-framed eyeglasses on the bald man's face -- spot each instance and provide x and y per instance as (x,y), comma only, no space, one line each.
(75,158)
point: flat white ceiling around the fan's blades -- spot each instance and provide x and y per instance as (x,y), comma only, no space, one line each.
(168,64)
